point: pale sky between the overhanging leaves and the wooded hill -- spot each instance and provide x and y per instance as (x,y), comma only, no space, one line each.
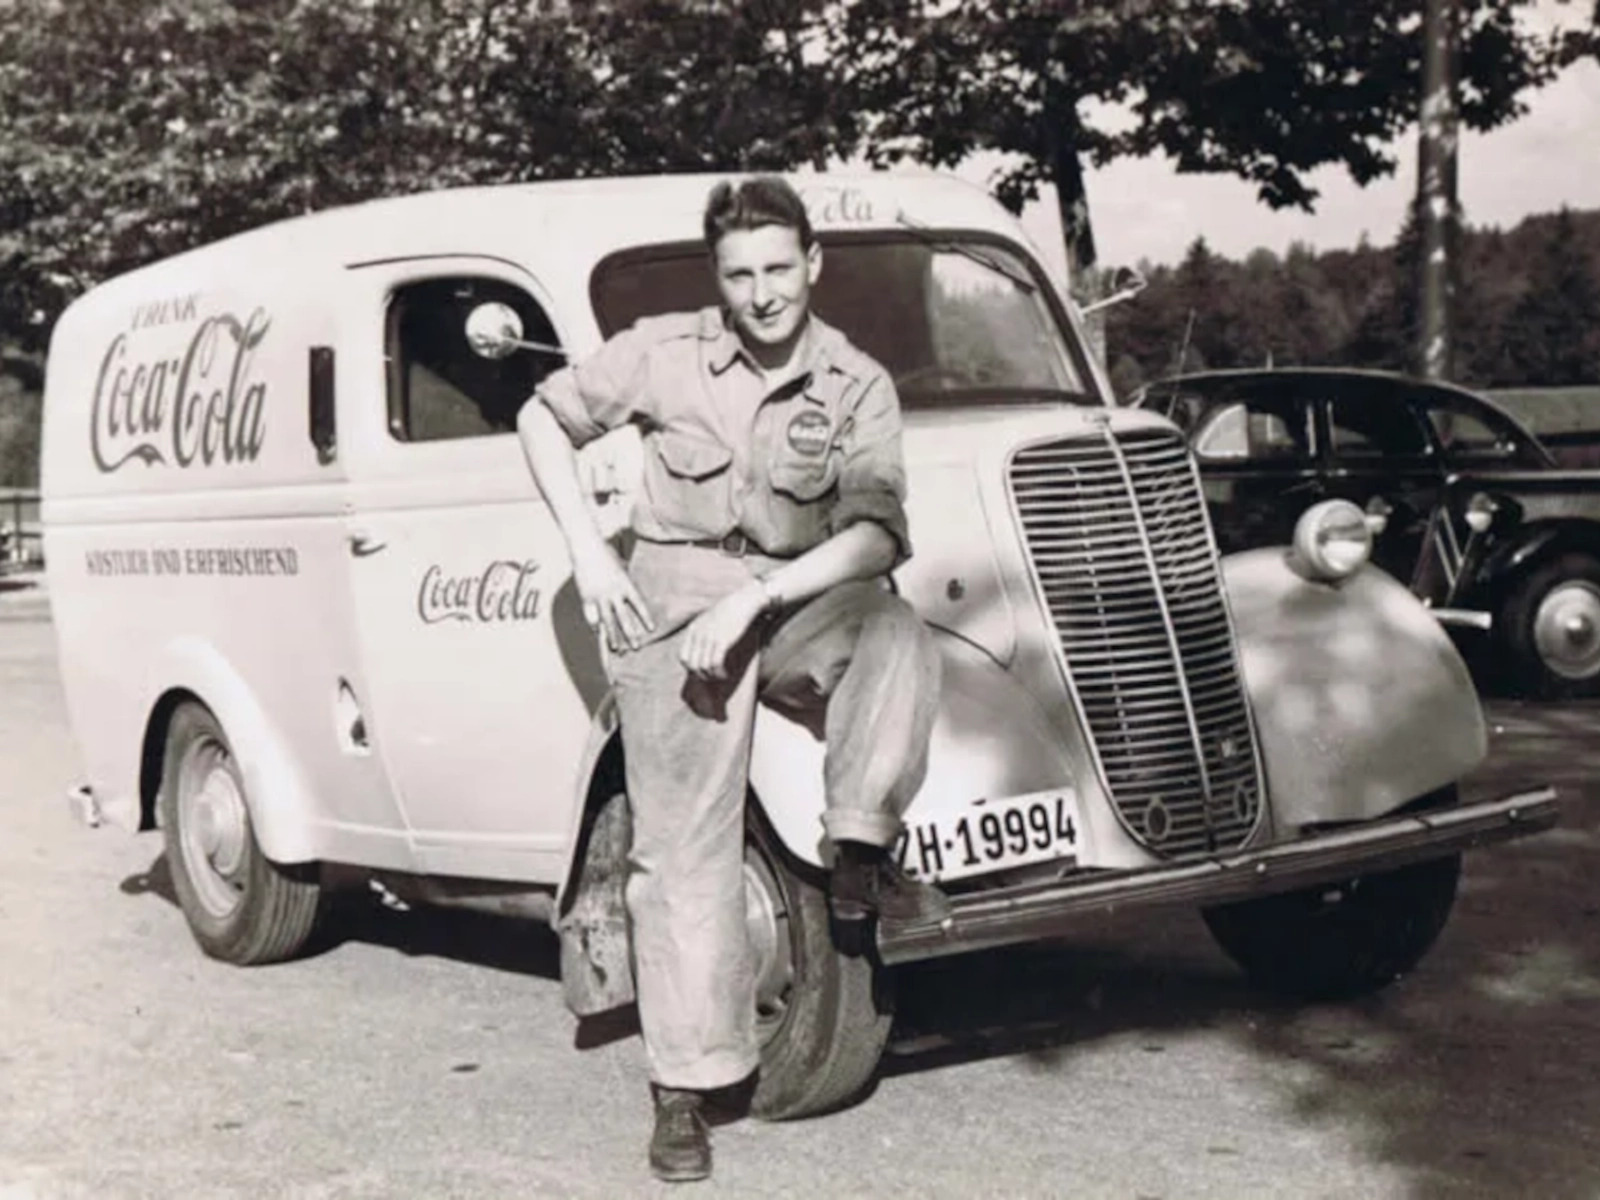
(1143,209)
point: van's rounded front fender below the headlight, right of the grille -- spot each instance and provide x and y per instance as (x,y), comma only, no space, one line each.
(1359,697)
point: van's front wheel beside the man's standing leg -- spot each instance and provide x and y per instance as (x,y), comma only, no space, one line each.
(823,1018)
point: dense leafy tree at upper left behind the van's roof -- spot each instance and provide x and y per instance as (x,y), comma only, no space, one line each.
(135,130)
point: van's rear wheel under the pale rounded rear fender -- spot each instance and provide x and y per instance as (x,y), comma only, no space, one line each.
(241,906)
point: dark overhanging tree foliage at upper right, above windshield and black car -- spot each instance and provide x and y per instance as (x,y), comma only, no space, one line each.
(1262,89)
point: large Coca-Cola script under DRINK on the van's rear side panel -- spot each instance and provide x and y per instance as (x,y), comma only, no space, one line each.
(199,407)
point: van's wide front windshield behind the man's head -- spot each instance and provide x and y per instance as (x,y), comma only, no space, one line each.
(954,319)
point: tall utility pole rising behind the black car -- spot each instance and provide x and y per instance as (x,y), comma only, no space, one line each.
(1436,185)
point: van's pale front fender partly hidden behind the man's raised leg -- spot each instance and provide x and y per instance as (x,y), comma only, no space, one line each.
(990,740)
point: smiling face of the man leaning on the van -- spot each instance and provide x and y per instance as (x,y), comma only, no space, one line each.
(766,282)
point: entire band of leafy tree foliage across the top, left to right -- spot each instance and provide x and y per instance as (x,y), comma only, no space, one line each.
(135,129)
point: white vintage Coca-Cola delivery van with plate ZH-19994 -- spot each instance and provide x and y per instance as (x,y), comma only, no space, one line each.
(313,612)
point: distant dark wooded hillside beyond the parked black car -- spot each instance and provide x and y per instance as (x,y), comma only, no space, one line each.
(1527,303)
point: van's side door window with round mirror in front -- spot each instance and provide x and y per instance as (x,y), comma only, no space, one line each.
(439,386)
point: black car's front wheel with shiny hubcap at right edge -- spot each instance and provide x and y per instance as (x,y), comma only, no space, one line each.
(1551,630)
